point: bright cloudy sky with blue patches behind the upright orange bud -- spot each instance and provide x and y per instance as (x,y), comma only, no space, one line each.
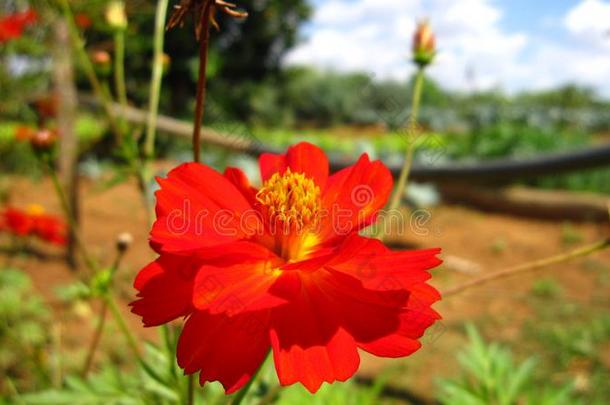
(512,45)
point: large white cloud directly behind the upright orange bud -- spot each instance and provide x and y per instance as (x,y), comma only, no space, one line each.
(376,36)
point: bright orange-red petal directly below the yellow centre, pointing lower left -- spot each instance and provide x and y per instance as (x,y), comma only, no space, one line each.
(238,287)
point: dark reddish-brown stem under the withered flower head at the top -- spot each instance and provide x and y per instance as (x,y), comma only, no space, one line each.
(201,82)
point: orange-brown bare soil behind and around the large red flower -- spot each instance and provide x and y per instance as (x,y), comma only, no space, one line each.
(473,244)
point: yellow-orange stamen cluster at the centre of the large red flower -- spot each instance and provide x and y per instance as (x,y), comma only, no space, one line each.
(292,201)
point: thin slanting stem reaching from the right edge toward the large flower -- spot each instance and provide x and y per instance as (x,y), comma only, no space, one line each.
(527,267)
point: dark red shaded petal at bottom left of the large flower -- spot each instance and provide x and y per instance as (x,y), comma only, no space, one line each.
(225,349)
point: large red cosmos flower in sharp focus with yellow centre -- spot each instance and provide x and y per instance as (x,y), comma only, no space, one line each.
(282,268)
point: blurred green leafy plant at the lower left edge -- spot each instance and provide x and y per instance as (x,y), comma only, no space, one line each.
(24,332)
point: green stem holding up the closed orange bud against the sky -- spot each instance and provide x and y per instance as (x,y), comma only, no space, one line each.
(411,132)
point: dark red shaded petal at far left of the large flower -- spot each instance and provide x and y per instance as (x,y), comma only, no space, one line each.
(165,289)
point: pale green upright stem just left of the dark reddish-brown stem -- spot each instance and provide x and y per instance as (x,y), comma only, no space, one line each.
(155,82)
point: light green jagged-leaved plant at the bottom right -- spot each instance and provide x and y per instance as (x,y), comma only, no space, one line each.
(490,376)
